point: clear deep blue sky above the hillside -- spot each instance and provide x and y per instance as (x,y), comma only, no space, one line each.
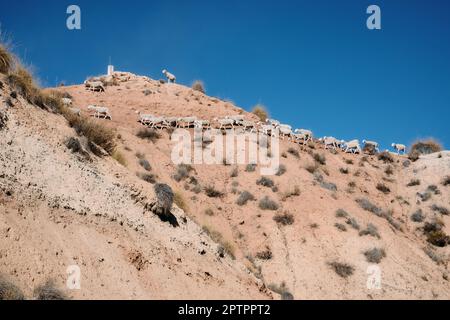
(314,64)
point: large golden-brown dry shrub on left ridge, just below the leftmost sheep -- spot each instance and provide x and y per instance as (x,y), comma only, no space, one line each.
(93,130)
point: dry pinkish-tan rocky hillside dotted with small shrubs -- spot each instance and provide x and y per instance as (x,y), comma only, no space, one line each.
(331,216)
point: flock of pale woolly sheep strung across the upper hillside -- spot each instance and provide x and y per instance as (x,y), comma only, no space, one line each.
(270,127)
